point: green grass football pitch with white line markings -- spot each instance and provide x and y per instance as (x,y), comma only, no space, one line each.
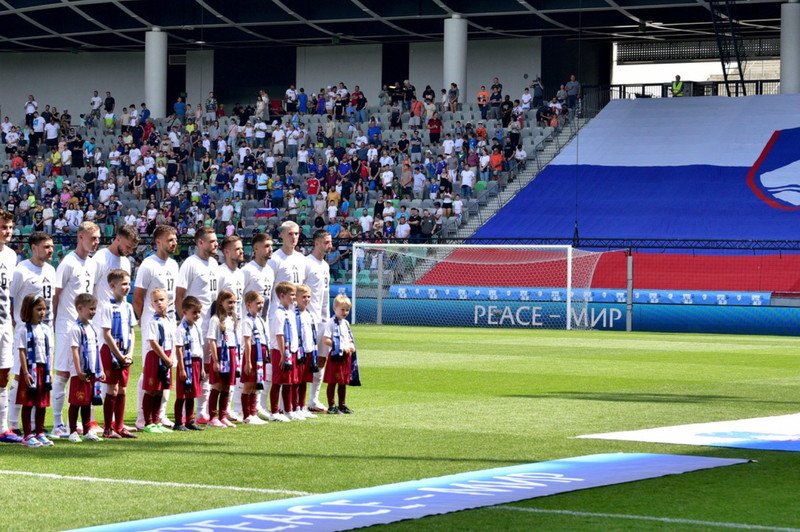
(438,401)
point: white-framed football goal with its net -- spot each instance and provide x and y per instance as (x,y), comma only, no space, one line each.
(471,285)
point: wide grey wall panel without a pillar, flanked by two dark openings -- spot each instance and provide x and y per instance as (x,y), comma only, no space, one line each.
(320,66)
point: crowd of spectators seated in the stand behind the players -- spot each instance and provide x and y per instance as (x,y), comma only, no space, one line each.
(398,169)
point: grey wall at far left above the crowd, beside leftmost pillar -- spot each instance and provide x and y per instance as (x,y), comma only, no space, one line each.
(67,80)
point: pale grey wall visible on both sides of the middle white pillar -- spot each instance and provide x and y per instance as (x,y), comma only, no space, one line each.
(507,59)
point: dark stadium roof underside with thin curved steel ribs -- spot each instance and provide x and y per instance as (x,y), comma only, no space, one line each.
(59,25)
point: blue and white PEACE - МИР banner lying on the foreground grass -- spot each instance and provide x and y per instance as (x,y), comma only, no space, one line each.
(348,510)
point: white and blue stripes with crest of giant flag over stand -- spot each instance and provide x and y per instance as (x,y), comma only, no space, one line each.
(703,168)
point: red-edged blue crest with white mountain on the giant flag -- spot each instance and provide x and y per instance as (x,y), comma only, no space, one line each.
(775,176)
